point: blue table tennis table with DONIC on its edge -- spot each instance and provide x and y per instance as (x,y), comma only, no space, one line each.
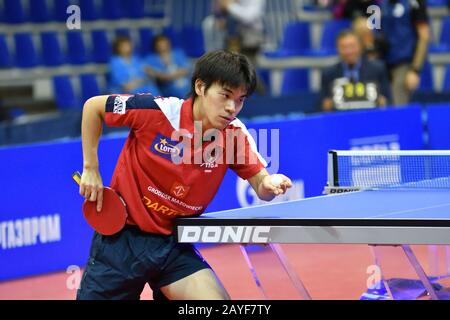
(399,217)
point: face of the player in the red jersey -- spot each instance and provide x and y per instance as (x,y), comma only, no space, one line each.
(221,104)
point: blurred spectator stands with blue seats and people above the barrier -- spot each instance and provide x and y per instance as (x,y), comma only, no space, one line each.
(311,56)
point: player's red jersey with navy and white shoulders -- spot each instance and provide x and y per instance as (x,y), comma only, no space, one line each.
(163,172)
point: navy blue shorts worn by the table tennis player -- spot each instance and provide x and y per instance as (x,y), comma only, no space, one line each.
(120,265)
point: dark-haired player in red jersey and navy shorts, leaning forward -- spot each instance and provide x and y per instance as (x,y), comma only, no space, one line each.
(156,189)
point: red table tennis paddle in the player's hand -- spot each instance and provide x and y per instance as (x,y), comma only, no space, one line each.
(112,218)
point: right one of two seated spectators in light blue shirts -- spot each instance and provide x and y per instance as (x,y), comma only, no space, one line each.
(170,67)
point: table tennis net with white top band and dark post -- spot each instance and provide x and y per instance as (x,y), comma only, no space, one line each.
(390,169)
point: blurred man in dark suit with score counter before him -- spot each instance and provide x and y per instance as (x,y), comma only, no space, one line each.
(354,82)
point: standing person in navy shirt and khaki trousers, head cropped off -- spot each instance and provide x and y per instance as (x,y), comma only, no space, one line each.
(405,26)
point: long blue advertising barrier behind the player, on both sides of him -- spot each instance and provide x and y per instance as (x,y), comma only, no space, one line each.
(41,225)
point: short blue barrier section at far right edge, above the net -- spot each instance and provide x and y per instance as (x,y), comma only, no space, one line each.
(438,126)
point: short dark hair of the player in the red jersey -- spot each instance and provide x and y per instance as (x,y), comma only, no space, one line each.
(225,68)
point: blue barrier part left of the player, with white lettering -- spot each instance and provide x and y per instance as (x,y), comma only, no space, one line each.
(41,224)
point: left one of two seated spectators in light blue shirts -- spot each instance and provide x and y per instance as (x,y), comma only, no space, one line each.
(126,71)
